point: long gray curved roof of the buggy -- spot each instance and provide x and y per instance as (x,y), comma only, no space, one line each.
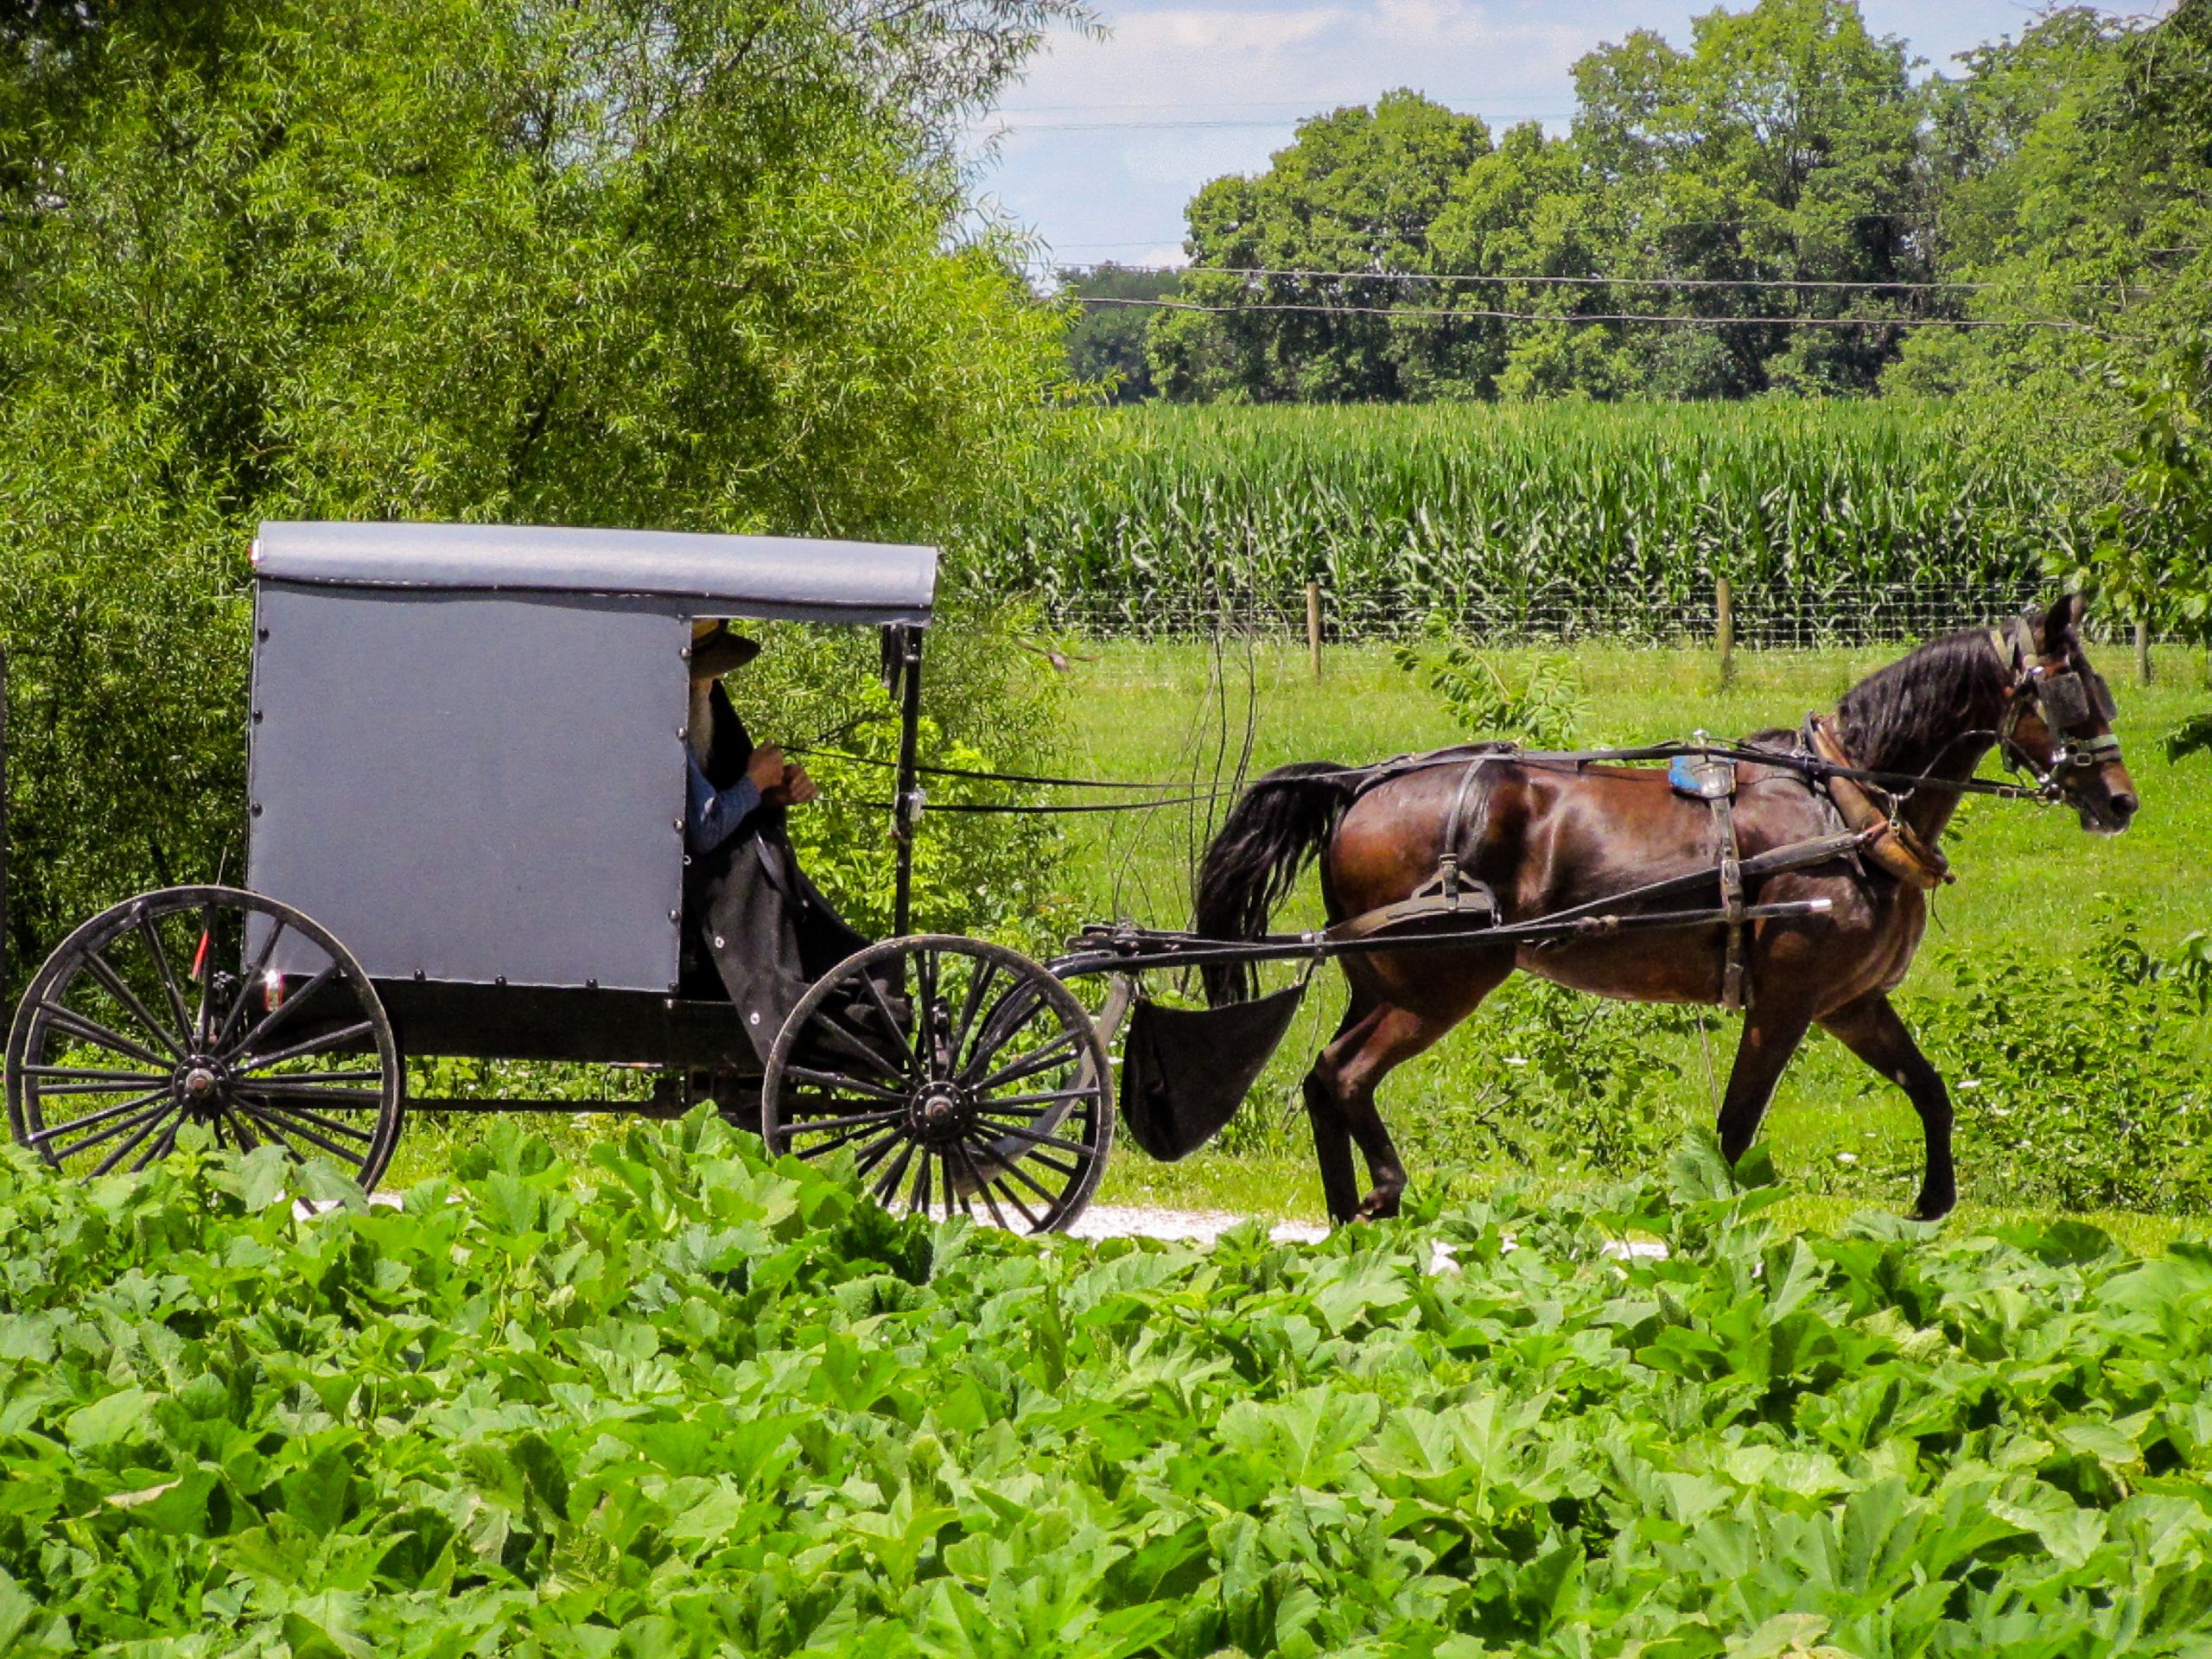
(751,576)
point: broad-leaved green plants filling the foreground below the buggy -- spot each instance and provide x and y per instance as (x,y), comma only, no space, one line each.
(680,1401)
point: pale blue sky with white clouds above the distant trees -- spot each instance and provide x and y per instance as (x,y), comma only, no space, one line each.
(1105,140)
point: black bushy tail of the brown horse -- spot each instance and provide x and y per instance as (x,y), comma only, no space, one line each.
(1271,837)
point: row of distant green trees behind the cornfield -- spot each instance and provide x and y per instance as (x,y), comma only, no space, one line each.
(1782,180)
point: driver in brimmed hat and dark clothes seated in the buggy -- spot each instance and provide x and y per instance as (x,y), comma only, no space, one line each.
(753,919)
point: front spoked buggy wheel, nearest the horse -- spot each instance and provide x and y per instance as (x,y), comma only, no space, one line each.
(961,1076)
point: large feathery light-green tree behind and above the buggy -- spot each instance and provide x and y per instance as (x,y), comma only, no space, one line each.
(625,262)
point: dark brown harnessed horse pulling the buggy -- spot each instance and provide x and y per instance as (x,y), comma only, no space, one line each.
(1550,835)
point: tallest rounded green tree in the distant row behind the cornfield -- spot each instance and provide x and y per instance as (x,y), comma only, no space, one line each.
(1784,145)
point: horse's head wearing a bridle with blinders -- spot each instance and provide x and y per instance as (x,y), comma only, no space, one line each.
(2058,720)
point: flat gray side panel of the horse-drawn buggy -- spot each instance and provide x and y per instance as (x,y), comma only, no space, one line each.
(472,791)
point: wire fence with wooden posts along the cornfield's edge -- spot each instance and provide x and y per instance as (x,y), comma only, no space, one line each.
(1762,618)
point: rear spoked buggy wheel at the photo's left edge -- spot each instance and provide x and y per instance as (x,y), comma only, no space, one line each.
(202,1005)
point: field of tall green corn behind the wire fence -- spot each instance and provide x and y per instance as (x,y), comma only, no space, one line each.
(1833,521)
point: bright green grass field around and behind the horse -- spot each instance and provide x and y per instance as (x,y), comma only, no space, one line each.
(2032,888)
